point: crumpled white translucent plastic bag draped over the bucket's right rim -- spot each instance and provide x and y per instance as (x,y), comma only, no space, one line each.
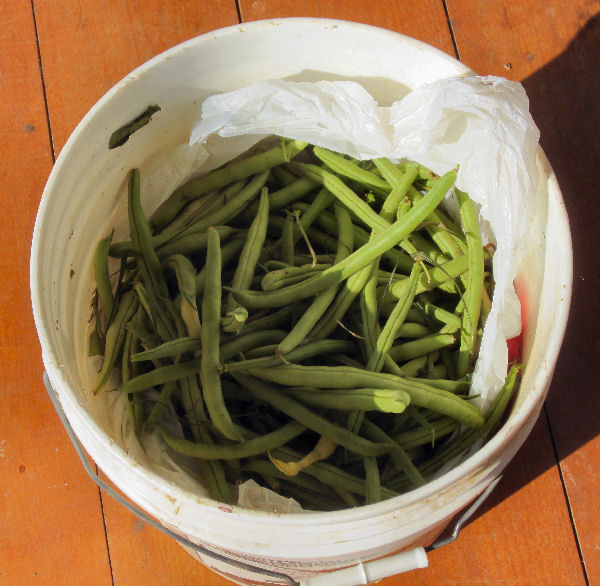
(481,124)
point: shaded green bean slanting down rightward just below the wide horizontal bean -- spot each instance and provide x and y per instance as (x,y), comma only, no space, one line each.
(264,392)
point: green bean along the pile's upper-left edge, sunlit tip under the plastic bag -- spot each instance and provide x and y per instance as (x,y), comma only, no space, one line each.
(233,171)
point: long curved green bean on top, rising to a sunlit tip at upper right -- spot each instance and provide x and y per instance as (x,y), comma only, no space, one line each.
(357,260)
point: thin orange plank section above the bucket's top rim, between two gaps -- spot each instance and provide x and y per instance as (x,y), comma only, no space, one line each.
(425,21)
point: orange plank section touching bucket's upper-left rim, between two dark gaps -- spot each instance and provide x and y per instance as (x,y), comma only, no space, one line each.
(87,47)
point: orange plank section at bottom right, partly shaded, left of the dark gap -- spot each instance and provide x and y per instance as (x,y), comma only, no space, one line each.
(522,533)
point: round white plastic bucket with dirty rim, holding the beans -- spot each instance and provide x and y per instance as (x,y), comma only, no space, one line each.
(80,204)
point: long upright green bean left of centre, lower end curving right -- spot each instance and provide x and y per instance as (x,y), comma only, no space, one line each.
(211,312)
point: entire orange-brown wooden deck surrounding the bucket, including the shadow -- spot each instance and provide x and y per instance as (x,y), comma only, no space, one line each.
(58,57)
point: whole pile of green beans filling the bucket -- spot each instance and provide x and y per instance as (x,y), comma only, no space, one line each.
(310,321)
